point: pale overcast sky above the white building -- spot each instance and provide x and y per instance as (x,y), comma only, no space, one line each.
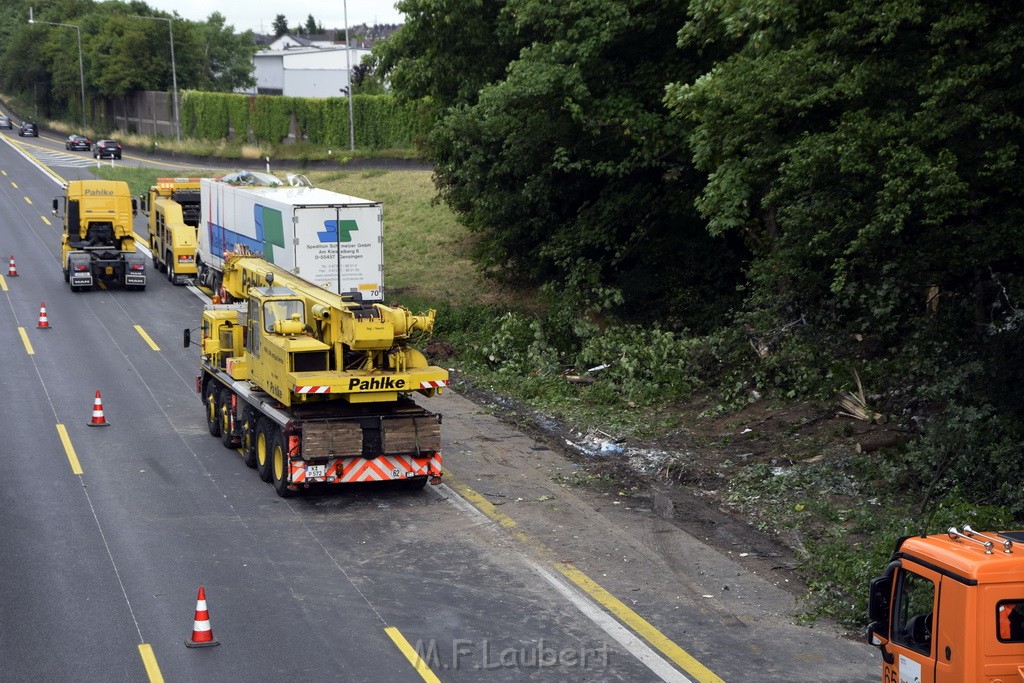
(260,18)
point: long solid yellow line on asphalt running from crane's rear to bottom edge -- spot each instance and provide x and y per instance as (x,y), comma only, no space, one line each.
(682,659)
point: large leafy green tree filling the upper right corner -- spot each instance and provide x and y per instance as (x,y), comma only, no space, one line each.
(867,152)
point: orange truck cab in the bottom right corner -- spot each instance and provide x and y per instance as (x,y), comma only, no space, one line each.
(950,609)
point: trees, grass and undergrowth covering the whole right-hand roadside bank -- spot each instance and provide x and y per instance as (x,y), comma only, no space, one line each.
(786,261)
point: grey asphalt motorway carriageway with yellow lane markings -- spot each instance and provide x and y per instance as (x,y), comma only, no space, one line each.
(109,532)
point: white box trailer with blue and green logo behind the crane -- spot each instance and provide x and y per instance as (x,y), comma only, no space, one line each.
(331,240)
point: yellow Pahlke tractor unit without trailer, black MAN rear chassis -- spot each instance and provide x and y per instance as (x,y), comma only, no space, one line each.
(99,241)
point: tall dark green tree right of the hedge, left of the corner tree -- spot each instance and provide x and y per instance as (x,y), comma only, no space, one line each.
(564,158)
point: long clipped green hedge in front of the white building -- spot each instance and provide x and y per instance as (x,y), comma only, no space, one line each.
(380,120)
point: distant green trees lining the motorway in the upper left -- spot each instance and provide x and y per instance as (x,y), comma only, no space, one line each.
(121,54)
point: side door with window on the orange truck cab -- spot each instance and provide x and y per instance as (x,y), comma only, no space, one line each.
(914,623)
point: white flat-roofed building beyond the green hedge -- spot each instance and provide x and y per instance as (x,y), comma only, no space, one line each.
(297,68)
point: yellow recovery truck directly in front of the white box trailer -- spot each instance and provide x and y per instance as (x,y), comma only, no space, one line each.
(173,210)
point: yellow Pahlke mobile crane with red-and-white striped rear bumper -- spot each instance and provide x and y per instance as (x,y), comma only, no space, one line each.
(315,387)
